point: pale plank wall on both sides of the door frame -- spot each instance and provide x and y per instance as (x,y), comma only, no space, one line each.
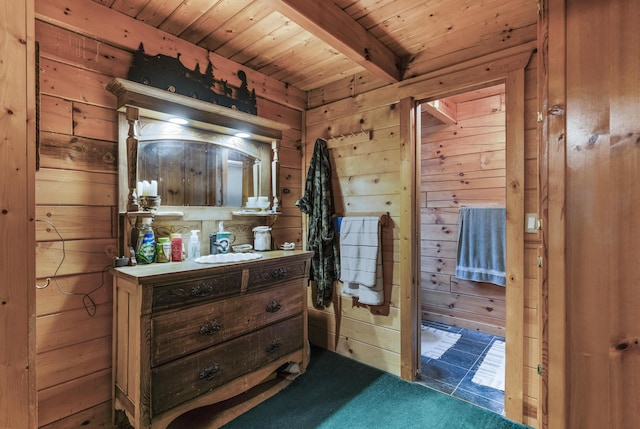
(366,178)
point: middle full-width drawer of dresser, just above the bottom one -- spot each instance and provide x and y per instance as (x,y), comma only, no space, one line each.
(182,332)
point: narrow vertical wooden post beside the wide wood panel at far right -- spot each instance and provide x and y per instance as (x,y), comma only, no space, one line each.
(553,316)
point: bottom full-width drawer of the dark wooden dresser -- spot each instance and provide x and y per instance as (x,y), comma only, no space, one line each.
(187,378)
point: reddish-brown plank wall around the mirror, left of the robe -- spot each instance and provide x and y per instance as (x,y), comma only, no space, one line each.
(76,199)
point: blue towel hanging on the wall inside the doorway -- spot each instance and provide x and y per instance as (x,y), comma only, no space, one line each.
(482,245)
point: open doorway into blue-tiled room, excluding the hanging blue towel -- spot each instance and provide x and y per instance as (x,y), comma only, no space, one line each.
(462,140)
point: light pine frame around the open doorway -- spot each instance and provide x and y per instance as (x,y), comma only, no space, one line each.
(510,70)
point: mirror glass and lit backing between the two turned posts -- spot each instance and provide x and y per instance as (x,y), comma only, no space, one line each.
(193,167)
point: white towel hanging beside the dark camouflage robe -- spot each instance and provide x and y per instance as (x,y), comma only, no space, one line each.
(361,259)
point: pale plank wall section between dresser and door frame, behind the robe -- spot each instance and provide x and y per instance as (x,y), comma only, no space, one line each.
(365,179)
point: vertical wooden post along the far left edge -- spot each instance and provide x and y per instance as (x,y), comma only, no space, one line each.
(18,398)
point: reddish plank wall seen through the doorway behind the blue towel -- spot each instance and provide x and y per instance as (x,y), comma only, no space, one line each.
(462,164)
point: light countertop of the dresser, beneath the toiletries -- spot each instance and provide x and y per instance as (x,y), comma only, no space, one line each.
(142,273)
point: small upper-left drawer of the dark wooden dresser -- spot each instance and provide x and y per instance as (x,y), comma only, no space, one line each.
(198,290)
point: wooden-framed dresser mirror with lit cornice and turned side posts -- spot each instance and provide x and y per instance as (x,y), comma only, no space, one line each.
(201,164)
